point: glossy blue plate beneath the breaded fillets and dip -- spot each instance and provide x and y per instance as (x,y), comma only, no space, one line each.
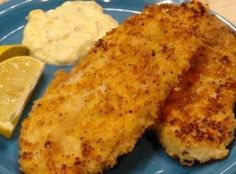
(148,156)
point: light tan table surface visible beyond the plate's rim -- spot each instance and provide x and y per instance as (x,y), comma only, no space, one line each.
(226,8)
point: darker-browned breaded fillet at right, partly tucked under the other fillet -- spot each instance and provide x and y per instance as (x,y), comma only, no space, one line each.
(197,121)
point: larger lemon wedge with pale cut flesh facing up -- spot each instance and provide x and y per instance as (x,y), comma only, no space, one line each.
(18,78)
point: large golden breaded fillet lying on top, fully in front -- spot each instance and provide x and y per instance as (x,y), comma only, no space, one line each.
(98,111)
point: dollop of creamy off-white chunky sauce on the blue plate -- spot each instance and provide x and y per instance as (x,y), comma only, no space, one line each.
(64,35)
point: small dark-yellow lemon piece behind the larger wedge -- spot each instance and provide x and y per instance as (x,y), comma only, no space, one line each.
(8,51)
